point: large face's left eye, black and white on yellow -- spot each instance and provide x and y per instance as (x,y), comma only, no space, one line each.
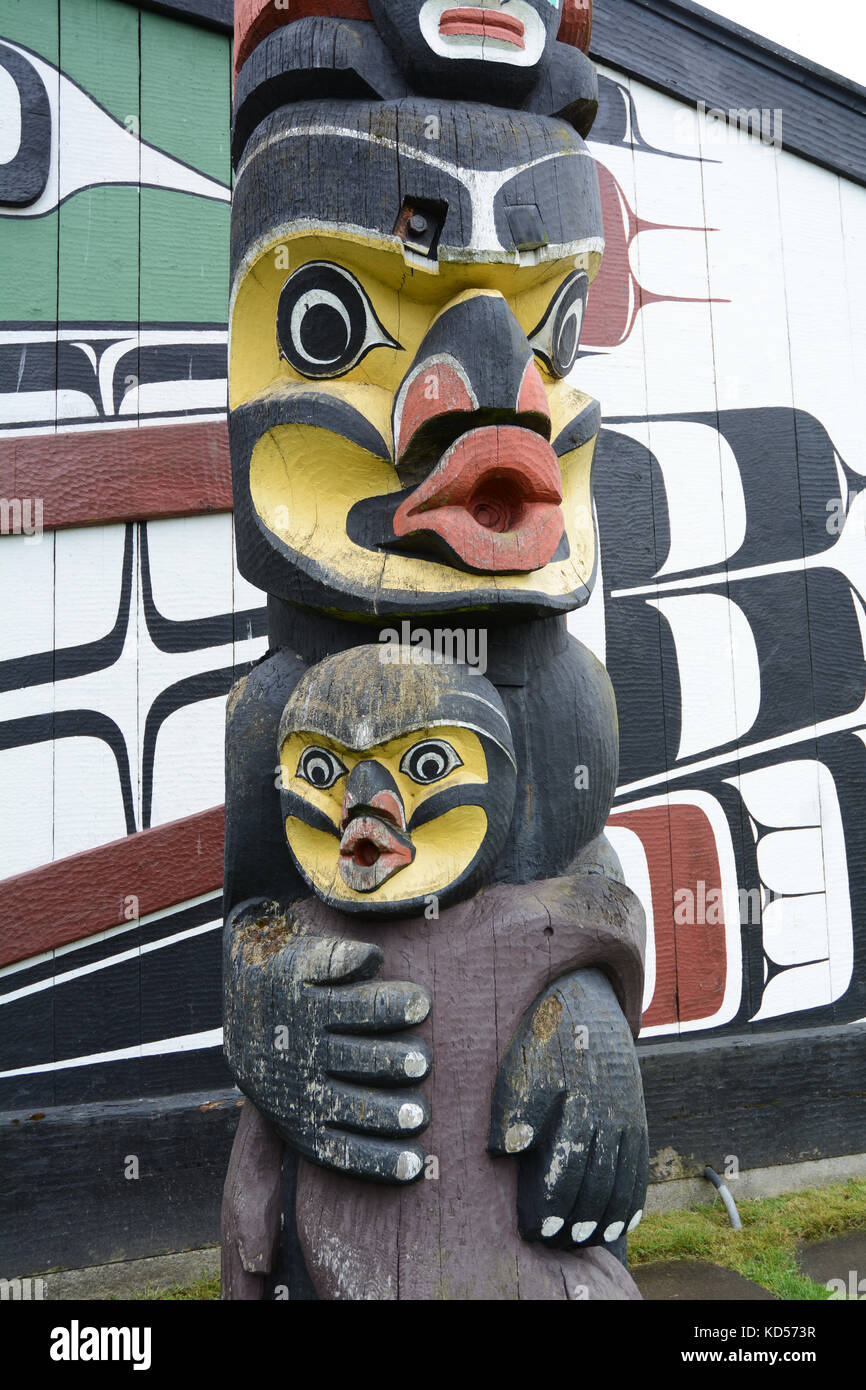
(326,322)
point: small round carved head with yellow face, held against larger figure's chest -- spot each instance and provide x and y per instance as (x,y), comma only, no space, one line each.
(398,780)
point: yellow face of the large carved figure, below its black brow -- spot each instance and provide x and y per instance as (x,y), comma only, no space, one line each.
(355,376)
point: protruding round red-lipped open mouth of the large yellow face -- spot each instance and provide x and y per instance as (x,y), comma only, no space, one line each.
(494,498)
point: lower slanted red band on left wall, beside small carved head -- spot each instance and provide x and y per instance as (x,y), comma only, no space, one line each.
(77,897)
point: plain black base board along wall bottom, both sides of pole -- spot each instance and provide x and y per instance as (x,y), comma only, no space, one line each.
(67,1202)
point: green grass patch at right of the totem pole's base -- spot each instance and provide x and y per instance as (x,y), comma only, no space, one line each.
(765,1250)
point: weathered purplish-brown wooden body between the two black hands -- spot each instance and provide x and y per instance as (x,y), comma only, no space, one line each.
(454,1234)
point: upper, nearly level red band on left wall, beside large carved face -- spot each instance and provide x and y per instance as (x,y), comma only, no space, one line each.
(104,476)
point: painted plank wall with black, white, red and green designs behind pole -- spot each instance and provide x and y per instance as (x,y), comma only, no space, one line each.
(722,340)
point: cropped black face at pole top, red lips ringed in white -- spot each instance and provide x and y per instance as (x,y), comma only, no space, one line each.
(462,49)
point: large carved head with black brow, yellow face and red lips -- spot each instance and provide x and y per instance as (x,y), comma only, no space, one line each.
(407,420)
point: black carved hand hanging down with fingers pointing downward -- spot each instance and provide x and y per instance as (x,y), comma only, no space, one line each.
(569,1100)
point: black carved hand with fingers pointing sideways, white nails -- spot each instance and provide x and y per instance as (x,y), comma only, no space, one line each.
(316,1043)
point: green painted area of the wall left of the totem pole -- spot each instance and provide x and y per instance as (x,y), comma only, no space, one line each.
(126,254)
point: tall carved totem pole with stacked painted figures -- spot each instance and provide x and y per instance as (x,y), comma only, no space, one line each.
(433,968)
